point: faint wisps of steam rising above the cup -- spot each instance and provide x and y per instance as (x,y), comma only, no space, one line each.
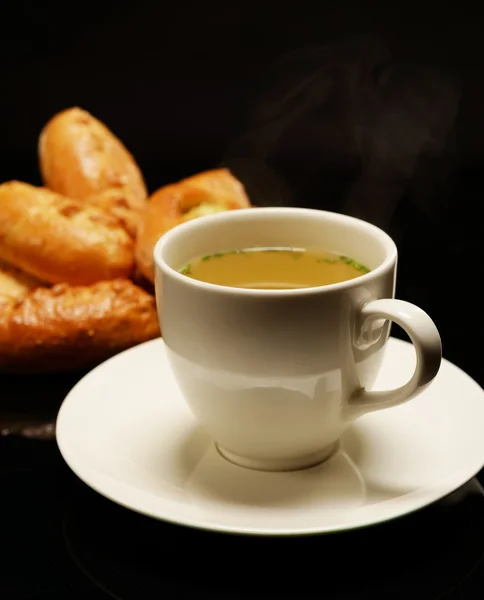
(345,127)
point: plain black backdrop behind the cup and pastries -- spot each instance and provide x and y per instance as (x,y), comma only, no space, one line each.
(369,108)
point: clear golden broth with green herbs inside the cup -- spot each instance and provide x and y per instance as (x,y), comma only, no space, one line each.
(273,268)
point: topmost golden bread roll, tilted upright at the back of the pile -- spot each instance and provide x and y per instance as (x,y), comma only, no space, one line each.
(81,158)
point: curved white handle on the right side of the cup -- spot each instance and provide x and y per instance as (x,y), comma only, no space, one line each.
(428,347)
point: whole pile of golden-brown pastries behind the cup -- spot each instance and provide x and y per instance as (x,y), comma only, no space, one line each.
(76,255)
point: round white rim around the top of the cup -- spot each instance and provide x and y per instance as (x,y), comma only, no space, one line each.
(168,238)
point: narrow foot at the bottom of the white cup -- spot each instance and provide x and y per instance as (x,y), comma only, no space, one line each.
(283,464)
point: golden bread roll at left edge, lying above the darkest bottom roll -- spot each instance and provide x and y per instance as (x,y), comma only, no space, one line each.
(57,239)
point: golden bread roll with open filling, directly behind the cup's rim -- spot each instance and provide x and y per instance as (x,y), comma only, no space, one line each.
(203,194)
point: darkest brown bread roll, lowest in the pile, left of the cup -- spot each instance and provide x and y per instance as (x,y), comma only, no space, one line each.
(67,328)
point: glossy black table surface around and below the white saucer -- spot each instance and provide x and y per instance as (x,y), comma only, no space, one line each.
(63,540)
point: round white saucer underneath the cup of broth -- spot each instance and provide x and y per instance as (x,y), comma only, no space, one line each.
(125,431)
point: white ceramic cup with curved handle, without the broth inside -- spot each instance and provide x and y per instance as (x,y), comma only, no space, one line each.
(276,376)
